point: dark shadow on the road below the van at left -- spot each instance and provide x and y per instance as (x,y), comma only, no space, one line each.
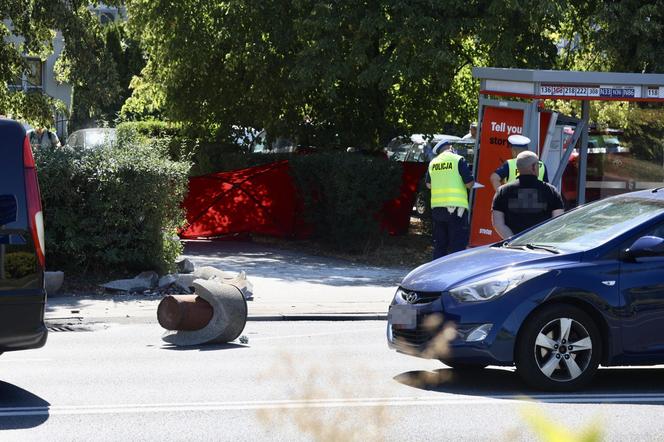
(20,409)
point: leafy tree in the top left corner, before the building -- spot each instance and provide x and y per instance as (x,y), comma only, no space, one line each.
(28,28)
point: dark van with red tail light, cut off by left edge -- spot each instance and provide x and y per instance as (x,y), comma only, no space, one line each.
(22,294)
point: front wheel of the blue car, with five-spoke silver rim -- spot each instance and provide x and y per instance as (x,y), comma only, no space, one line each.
(559,348)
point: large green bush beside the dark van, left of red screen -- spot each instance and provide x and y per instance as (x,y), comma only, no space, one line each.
(116,207)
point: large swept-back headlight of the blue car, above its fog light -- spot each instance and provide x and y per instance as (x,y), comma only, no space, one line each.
(494,286)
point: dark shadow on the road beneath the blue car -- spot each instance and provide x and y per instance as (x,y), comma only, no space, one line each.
(611,385)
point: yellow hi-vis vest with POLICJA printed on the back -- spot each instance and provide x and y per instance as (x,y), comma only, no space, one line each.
(447,187)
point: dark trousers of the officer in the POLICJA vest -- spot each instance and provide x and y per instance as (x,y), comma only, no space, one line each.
(450,231)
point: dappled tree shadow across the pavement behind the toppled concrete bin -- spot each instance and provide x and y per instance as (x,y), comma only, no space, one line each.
(265,261)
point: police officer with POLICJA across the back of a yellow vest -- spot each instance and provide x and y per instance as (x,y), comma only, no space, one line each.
(449,177)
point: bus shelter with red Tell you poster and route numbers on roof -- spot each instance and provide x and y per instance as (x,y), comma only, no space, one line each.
(582,165)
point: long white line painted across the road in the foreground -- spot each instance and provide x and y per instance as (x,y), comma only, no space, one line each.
(326,403)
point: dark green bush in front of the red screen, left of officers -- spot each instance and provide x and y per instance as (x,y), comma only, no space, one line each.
(344,194)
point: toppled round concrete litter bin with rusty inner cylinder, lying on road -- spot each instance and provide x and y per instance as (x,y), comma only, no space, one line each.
(229,315)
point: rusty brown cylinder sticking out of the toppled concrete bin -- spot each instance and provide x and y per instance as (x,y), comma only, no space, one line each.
(184,312)
